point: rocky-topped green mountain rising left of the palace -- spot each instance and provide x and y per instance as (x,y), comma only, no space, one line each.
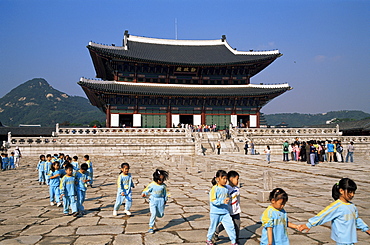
(37,102)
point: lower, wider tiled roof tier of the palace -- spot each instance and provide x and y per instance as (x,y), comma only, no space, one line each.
(182,90)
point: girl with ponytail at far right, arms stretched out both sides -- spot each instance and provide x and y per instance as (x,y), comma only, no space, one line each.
(342,213)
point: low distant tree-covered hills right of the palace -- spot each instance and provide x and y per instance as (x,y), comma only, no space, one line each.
(301,120)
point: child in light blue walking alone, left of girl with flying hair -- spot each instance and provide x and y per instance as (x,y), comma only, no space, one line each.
(124,184)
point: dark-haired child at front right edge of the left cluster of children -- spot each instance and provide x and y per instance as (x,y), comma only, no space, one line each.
(82,177)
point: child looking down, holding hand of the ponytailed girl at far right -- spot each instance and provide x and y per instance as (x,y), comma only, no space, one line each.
(275,219)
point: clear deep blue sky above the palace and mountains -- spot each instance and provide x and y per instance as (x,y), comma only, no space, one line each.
(325,44)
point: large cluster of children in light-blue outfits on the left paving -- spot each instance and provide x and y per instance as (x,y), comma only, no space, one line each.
(67,180)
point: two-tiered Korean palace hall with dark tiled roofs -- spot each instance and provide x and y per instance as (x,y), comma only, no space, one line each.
(157,83)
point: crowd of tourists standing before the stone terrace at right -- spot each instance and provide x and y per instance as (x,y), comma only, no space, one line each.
(314,152)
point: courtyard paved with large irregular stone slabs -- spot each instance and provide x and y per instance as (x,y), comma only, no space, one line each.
(27,218)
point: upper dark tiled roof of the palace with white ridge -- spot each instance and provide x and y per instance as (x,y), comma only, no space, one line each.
(181,52)
